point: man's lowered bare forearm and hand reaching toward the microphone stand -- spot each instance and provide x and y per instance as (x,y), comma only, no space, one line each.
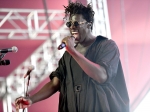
(46,91)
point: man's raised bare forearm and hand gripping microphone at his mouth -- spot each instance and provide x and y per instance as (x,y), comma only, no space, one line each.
(92,69)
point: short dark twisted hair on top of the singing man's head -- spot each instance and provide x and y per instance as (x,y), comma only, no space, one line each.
(78,8)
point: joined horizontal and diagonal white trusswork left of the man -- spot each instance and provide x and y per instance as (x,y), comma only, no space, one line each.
(44,59)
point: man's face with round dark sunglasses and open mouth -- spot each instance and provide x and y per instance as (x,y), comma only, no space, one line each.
(78,28)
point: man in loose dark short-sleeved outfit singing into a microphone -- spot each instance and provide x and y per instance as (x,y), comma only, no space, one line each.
(89,76)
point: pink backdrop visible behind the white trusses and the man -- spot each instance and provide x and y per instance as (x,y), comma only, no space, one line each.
(129,23)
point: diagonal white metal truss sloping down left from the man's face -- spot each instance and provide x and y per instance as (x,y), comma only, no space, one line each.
(44,59)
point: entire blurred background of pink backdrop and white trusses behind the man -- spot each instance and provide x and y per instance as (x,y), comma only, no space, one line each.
(36,28)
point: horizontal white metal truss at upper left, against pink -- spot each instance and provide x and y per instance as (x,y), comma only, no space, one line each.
(29,23)
